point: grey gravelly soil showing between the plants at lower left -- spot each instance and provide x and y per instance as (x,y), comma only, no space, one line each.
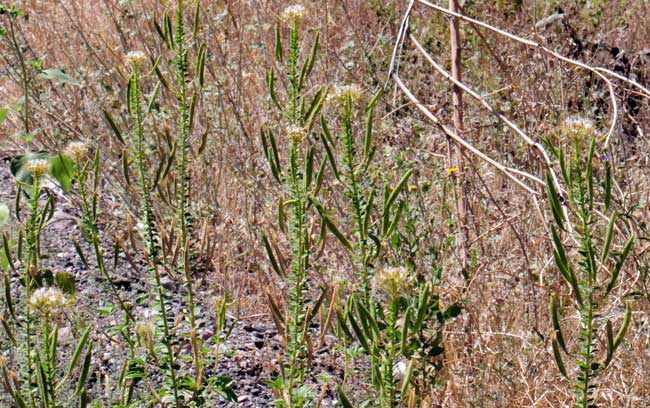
(249,356)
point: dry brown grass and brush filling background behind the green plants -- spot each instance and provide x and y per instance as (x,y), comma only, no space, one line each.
(498,351)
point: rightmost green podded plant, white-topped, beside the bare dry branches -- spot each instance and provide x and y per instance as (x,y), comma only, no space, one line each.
(593,271)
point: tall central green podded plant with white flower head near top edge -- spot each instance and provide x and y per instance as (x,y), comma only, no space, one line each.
(294,170)
